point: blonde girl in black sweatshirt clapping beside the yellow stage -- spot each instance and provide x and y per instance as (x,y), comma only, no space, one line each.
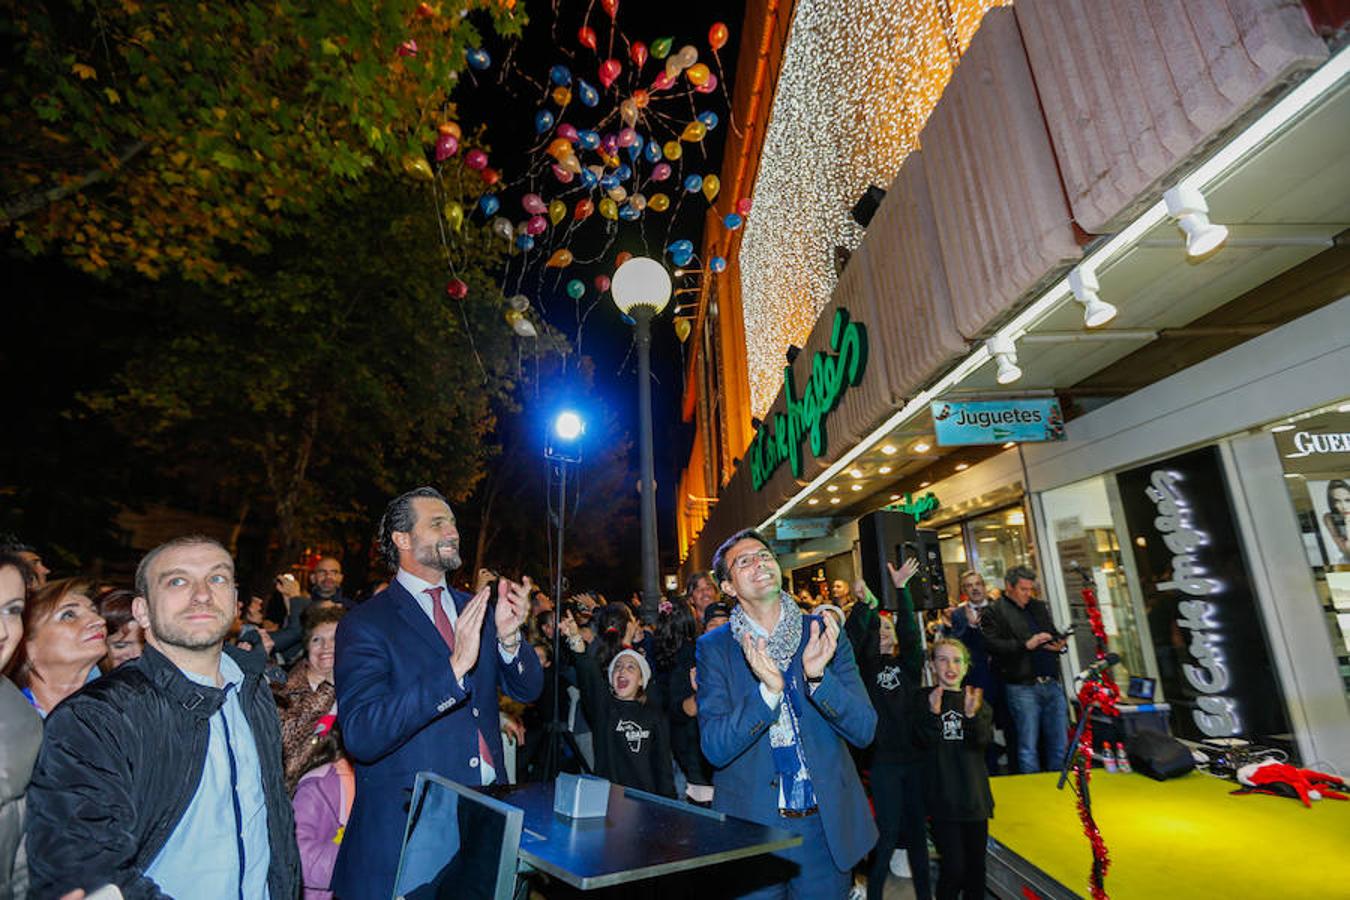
(954,728)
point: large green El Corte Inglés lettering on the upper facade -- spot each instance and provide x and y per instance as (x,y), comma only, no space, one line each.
(832,374)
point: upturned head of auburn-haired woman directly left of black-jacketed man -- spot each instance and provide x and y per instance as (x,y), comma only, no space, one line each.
(64,639)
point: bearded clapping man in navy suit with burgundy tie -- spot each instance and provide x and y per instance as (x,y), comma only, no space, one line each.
(418,673)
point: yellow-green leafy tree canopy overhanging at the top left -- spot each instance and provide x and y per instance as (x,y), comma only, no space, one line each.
(159,136)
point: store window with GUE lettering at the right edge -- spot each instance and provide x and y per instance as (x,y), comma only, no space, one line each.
(1316,454)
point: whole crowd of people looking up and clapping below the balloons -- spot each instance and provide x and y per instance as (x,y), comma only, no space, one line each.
(168,735)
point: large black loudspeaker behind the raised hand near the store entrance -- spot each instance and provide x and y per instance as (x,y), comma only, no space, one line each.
(890,536)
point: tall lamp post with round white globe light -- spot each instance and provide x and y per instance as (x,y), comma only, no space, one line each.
(642,289)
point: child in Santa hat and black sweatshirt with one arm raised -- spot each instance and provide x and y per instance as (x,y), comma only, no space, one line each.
(632,740)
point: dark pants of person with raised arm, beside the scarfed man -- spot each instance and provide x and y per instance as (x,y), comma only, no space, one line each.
(898,797)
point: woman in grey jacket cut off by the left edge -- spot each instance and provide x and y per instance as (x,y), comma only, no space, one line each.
(21,731)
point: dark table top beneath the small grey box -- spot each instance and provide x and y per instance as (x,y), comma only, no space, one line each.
(641,837)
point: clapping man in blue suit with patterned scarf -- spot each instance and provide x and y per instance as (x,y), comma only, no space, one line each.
(778,697)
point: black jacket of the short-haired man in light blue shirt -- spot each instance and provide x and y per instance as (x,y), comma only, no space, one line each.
(121,763)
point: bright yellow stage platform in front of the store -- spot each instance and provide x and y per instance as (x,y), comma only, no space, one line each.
(1183,839)
